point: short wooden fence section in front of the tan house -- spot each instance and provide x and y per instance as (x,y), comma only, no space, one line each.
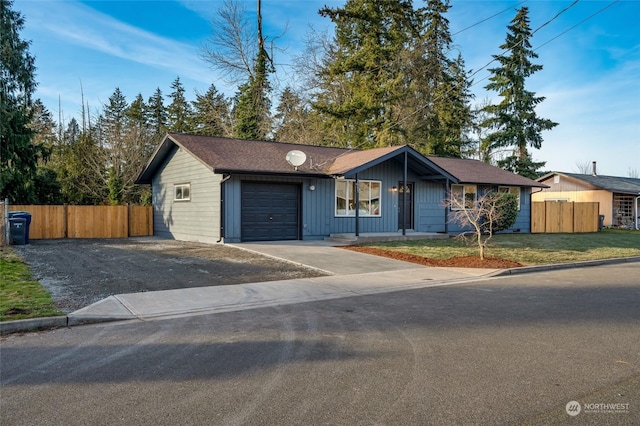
(567,217)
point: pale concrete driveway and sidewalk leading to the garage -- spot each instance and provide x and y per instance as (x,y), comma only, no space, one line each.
(350,274)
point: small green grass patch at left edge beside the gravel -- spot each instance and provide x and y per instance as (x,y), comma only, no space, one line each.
(20,296)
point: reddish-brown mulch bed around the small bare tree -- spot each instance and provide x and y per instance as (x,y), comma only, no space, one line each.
(454,262)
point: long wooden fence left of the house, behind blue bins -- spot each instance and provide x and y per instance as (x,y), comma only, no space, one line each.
(48,222)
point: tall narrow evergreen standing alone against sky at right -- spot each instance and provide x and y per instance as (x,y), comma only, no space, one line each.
(514,122)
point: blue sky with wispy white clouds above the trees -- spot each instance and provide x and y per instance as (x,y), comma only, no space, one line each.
(590,54)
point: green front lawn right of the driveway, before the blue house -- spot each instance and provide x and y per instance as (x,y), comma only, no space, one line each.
(530,249)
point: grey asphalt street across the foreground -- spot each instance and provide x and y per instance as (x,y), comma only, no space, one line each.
(508,350)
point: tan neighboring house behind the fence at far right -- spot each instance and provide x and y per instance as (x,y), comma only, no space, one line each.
(619,197)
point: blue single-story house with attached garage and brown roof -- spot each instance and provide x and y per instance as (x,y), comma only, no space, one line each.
(213,189)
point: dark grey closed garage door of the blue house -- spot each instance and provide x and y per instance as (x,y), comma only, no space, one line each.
(270,211)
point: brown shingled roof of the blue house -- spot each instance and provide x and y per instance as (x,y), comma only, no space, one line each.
(225,155)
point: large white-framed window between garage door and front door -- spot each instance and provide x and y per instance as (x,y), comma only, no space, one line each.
(369,198)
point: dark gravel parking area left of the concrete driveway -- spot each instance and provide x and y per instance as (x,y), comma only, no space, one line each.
(79,272)
